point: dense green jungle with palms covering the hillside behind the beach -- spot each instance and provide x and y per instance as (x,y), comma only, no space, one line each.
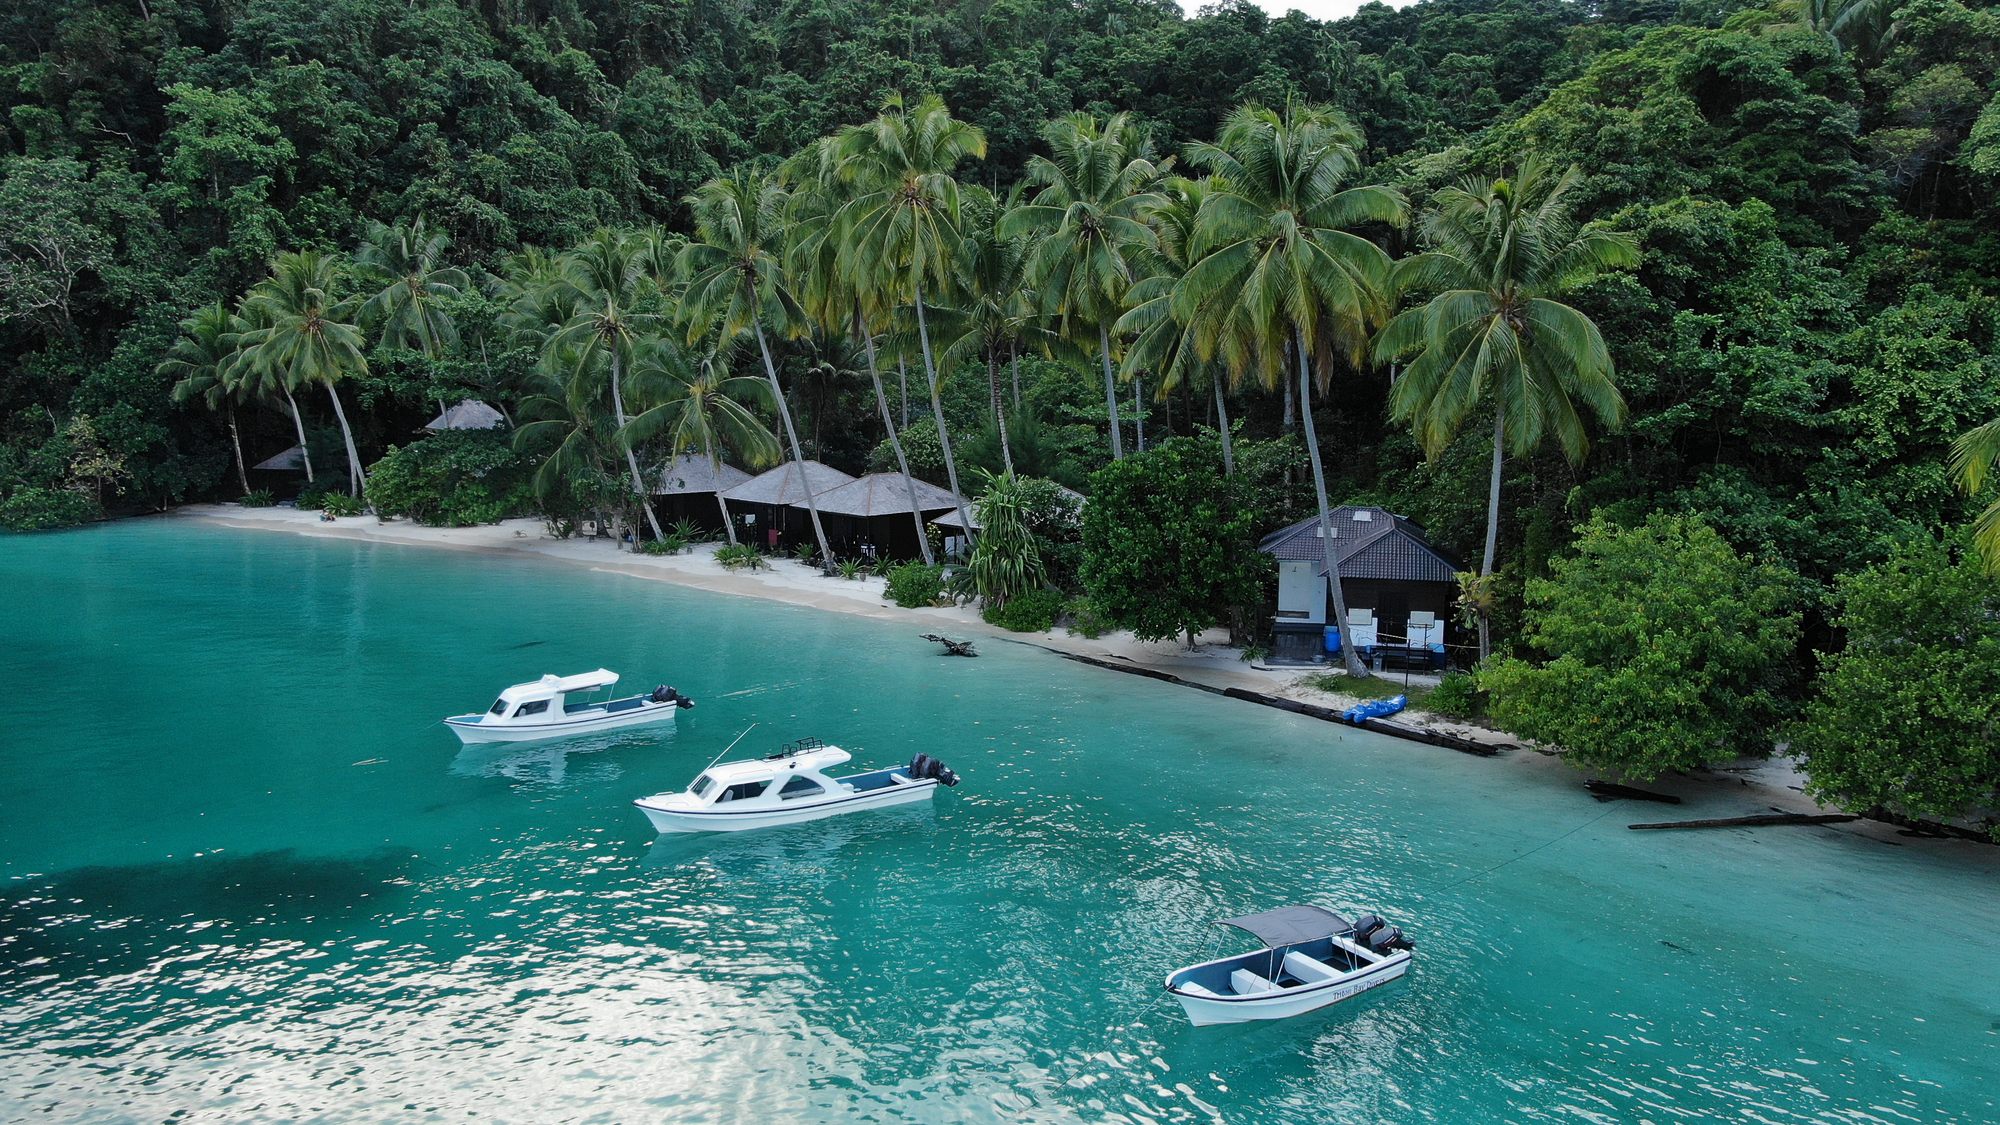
(1771,229)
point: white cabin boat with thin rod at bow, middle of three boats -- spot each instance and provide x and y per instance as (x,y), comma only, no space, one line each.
(789,788)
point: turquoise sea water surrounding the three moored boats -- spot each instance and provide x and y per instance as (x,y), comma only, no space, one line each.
(247,878)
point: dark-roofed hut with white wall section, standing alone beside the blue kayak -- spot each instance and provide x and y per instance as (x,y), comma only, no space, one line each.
(1399,588)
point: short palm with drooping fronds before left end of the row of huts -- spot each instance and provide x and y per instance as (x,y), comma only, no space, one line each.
(705,409)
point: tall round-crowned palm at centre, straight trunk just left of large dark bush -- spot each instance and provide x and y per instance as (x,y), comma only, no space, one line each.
(1089,221)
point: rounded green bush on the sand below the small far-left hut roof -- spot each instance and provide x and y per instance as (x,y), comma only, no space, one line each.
(451,479)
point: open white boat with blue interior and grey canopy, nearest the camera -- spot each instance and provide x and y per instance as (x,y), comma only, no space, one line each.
(1311,958)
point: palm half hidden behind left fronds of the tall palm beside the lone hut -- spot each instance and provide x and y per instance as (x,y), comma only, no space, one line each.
(1165,343)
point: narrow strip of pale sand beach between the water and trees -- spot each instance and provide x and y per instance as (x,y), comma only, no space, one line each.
(1213,668)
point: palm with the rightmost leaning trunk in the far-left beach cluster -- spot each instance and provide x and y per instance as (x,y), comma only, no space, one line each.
(311,337)
